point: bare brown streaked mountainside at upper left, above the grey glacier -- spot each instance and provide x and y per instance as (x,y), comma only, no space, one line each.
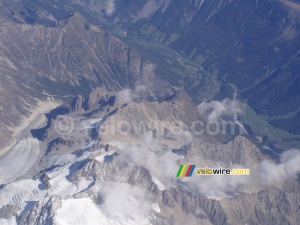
(69,59)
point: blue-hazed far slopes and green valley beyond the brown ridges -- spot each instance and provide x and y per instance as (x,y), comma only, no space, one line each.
(256,56)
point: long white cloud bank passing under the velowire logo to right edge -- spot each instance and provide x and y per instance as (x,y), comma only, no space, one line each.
(163,165)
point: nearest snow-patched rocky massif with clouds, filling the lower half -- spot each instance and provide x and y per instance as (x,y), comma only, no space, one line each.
(100,158)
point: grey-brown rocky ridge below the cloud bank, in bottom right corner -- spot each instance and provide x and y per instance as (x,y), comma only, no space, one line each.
(267,207)
